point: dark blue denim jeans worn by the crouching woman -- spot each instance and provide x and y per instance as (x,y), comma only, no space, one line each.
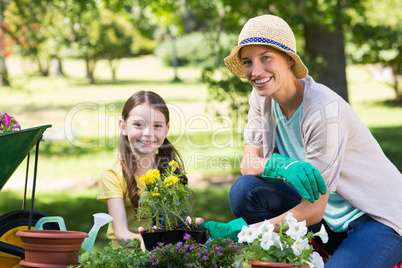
(367,243)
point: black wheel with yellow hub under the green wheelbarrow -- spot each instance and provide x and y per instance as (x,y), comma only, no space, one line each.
(10,224)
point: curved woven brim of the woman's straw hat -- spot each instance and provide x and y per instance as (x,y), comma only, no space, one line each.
(234,65)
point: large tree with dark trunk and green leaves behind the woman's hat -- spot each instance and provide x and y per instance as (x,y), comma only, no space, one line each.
(318,27)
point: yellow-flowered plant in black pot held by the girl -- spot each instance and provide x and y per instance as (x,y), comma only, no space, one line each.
(167,201)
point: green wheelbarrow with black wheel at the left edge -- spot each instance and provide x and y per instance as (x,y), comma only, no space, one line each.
(14,148)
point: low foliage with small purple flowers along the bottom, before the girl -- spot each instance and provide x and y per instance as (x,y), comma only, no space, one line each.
(187,253)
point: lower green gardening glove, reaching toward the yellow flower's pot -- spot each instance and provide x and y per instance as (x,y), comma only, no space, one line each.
(224,230)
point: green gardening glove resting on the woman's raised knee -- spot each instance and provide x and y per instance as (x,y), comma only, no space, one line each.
(302,175)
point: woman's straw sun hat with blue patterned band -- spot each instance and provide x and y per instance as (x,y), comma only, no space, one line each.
(266,30)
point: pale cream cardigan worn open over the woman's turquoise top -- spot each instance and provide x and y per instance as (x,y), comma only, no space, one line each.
(340,146)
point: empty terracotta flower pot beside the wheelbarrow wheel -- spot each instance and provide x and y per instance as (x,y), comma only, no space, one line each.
(51,248)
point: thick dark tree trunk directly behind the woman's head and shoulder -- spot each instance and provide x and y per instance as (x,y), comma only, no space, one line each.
(330,47)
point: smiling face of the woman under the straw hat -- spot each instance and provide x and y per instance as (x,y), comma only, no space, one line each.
(266,68)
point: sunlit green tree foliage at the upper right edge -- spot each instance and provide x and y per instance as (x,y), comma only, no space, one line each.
(376,37)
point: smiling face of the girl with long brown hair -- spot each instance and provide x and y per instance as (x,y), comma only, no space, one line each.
(145,128)
